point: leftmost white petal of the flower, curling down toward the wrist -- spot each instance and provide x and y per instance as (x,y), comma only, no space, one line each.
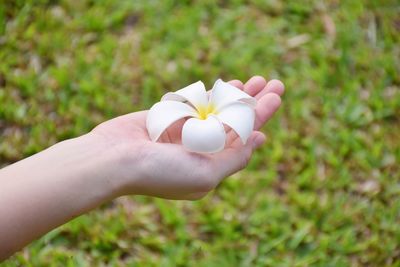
(163,114)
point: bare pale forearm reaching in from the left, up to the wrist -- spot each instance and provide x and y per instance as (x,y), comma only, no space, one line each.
(50,188)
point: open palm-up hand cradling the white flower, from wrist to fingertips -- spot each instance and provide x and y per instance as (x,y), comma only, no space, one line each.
(165,169)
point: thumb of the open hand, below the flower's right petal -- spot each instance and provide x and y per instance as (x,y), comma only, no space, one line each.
(236,157)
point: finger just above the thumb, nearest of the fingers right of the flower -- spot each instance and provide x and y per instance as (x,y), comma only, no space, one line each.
(265,108)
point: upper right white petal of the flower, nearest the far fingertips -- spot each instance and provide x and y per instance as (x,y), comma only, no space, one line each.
(223,93)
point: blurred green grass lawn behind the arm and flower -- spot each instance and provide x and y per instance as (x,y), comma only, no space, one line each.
(324,191)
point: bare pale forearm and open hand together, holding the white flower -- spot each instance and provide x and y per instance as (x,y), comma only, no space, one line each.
(117,158)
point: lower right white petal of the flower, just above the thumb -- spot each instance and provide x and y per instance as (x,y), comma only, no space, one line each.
(240,117)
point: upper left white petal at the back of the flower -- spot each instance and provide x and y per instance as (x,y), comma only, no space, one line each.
(194,93)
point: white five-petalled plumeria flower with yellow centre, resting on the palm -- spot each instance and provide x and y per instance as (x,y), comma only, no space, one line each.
(204,131)
